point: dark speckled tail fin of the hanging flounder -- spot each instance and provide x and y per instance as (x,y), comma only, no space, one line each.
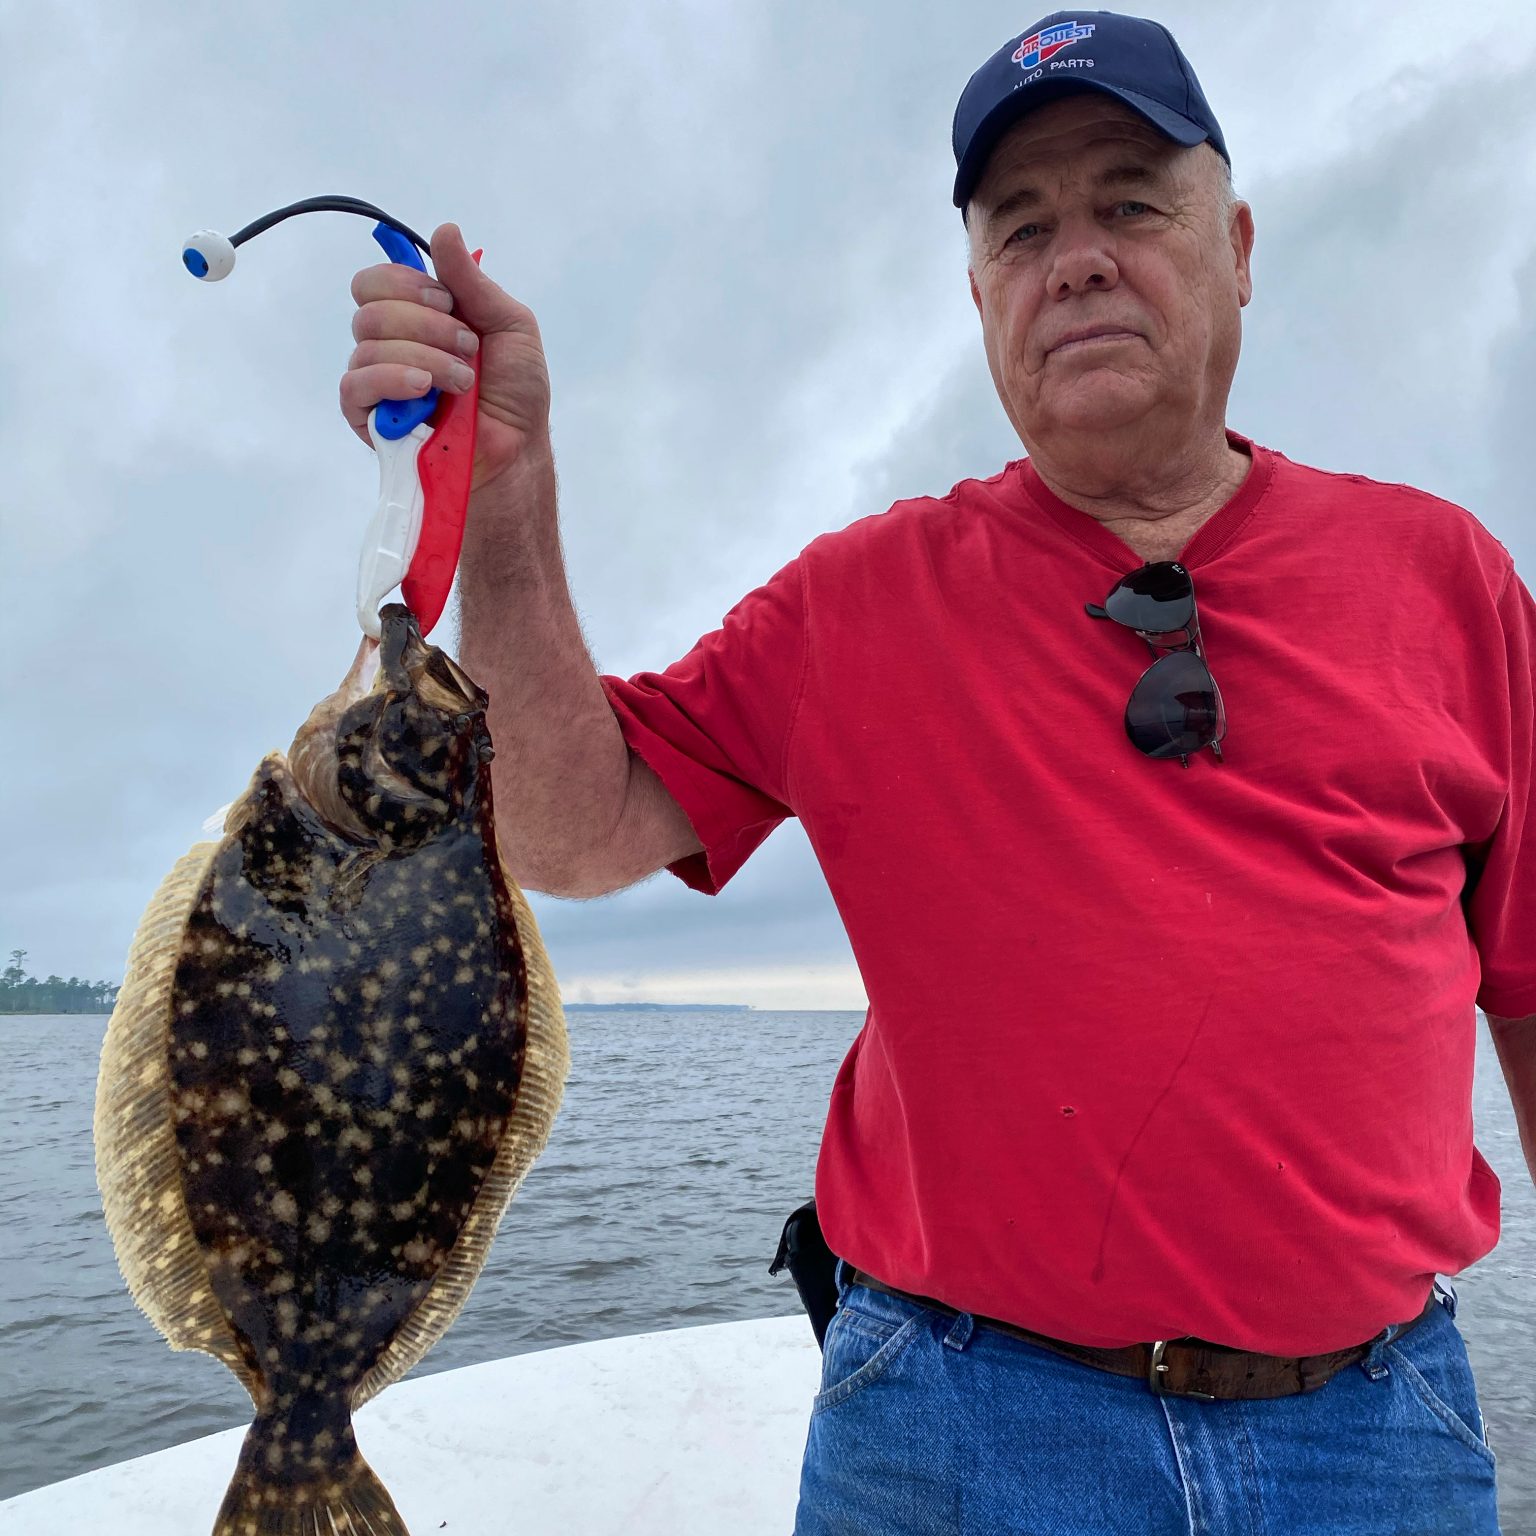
(282,1489)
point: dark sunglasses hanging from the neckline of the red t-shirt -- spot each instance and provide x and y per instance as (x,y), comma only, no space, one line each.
(1176,709)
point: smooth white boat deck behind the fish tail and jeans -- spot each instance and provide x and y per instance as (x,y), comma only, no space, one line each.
(697,1431)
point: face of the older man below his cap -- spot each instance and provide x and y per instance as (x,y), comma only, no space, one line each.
(1090,220)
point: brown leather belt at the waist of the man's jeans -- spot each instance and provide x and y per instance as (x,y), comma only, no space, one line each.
(1180,1368)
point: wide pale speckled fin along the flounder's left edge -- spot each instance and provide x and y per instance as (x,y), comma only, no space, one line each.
(139,1168)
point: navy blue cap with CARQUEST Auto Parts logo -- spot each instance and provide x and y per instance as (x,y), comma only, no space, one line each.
(1125,58)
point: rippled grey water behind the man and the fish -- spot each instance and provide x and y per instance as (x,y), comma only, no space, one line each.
(684,1142)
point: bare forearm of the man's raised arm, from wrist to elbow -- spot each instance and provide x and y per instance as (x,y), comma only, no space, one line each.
(561,764)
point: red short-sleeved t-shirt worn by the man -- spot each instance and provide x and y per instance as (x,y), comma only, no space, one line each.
(1151,1051)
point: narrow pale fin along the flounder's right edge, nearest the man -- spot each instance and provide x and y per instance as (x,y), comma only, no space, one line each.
(538,1101)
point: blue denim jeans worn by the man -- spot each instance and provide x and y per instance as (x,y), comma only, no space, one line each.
(929,1425)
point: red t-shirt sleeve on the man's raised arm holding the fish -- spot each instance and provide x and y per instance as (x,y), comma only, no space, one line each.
(715,727)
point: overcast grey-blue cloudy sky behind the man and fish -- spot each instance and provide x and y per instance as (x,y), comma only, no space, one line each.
(733,222)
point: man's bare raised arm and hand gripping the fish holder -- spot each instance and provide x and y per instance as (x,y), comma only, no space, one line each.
(580,815)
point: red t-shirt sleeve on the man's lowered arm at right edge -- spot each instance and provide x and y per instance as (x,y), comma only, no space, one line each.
(1501,909)
